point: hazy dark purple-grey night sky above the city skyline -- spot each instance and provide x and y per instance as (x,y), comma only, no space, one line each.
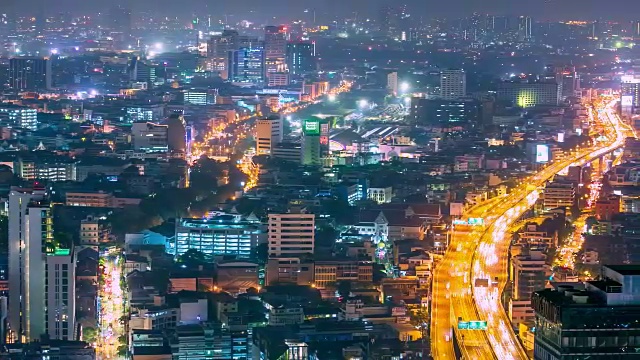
(542,9)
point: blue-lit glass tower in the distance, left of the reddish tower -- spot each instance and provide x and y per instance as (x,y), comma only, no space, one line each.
(247,64)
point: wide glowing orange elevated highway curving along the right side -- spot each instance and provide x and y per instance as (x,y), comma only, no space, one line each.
(482,253)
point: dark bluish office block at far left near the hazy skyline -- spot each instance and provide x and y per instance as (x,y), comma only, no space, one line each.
(29,74)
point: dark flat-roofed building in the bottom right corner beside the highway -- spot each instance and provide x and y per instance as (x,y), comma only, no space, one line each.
(591,320)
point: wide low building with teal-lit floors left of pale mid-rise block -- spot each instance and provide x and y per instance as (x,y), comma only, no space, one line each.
(222,235)
